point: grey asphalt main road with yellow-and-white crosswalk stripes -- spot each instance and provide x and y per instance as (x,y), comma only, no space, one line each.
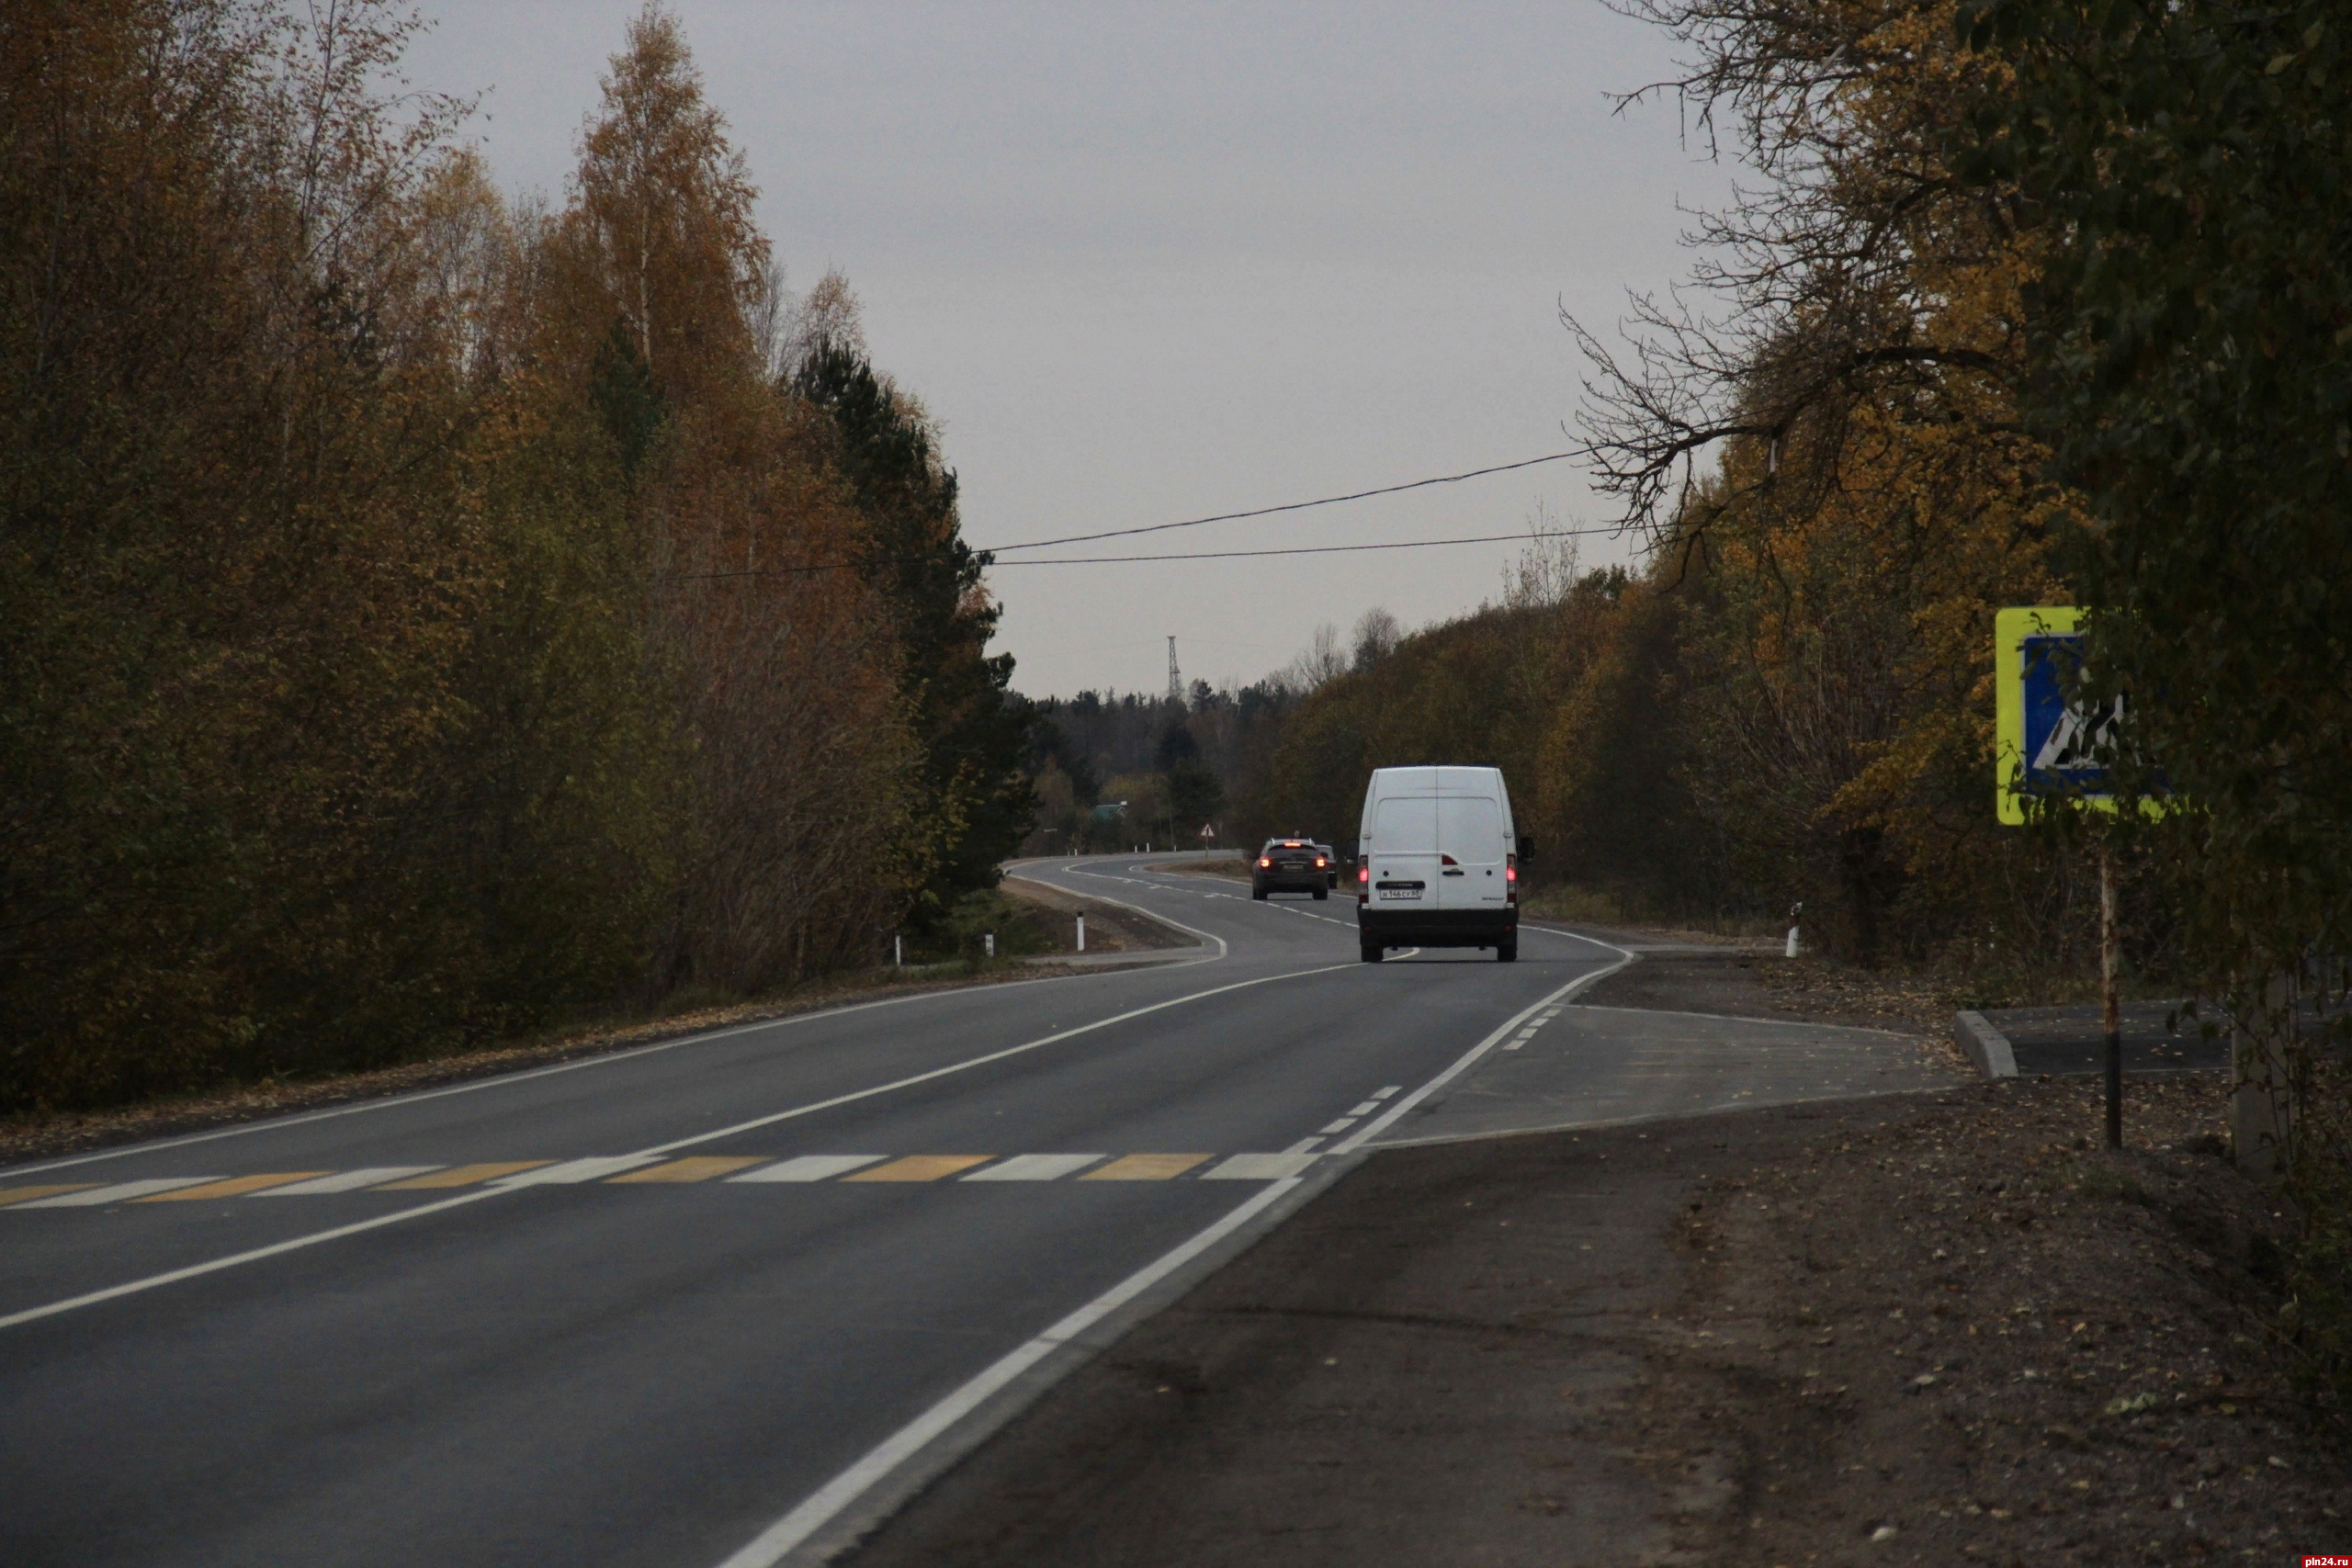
(726,1299)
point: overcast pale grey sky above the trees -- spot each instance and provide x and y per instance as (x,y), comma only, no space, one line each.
(1154,262)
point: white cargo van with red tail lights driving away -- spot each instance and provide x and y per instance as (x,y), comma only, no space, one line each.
(1438,864)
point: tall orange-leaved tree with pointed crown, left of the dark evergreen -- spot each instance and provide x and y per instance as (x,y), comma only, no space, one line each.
(796,847)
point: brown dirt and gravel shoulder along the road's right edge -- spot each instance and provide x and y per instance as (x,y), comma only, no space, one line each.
(1932,1329)
